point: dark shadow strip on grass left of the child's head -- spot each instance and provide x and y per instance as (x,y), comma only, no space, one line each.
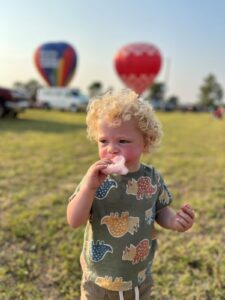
(22,125)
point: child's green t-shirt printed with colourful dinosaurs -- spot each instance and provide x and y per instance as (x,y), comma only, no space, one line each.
(119,240)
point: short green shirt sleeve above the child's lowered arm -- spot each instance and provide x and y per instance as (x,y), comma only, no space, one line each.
(165,197)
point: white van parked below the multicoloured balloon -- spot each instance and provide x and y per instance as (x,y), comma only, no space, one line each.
(62,98)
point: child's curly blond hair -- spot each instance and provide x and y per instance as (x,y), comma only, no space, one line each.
(121,107)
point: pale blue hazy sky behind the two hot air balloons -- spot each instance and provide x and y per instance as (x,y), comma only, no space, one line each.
(189,33)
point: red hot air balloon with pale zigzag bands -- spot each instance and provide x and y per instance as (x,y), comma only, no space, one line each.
(137,65)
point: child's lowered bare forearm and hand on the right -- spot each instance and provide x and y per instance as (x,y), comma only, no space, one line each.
(180,221)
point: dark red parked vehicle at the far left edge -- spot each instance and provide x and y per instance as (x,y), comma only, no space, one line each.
(12,102)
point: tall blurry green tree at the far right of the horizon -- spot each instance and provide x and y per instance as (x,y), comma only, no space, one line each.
(211,92)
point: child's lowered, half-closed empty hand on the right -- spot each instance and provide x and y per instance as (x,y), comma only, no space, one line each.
(184,218)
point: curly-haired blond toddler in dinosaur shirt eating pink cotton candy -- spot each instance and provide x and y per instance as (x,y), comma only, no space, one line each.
(120,210)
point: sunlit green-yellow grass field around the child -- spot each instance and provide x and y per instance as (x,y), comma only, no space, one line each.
(44,154)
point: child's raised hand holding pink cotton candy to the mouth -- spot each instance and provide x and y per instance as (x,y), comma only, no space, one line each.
(95,176)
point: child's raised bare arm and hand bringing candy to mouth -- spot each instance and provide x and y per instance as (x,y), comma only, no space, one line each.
(78,209)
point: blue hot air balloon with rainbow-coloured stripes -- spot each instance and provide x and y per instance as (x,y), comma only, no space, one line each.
(56,62)
